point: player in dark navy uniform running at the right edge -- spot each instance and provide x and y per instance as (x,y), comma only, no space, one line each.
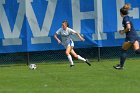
(131,36)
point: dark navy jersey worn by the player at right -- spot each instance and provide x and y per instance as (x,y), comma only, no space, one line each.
(131,33)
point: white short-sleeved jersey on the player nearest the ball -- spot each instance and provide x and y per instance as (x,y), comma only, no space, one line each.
(65,35)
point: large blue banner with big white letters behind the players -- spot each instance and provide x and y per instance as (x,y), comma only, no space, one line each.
(29,25)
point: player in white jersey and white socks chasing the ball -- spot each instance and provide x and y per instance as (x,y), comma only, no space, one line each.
(65,32)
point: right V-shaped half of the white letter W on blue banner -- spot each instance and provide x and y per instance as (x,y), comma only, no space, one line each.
(40,35)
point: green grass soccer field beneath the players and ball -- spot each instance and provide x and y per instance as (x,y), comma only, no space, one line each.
(60,78)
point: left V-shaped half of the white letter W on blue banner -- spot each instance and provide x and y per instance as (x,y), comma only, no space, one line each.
(12,37)
